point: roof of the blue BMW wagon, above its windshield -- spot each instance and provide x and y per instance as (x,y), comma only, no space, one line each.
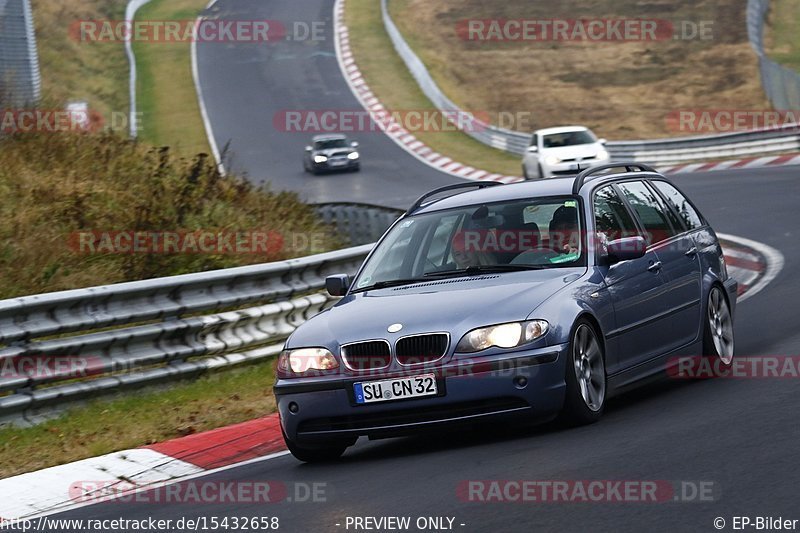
(526,189)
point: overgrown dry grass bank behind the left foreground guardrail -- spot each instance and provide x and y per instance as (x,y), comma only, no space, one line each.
(54,184)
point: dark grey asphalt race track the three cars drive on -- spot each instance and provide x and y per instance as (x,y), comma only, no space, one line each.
(742,435)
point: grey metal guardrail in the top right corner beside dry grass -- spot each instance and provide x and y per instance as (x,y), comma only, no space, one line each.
(781,84)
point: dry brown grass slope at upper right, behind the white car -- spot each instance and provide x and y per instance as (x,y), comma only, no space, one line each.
(622,90)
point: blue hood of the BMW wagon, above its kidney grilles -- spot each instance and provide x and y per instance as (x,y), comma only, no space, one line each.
(454,305)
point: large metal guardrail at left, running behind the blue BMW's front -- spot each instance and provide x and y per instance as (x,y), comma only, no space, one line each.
(106,339)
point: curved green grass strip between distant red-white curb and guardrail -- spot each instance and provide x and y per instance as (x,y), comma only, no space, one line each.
(388,77)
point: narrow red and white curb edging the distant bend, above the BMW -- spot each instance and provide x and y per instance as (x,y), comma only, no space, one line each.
(386,123)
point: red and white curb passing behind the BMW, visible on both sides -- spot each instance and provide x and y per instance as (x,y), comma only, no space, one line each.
(122,473)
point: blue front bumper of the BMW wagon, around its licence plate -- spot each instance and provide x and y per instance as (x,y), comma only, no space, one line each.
(470,390)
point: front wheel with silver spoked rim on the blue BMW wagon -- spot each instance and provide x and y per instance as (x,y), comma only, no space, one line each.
(585,377)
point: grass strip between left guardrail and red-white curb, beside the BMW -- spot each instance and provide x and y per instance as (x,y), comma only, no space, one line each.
(106,426)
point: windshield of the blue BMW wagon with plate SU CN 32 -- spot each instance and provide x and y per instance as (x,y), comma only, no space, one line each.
(513,235)
